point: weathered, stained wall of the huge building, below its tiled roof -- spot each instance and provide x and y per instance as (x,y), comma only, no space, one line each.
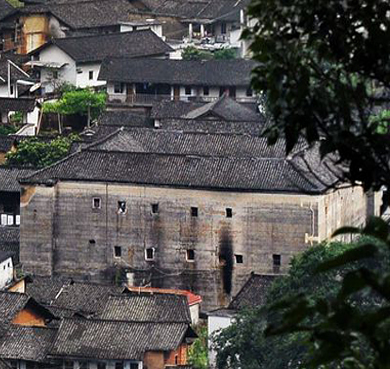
(82,239)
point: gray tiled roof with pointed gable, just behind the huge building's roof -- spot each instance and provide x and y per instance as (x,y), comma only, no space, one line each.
(224,108)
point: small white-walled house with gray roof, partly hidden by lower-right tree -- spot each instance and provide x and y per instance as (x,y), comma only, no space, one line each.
(252,295)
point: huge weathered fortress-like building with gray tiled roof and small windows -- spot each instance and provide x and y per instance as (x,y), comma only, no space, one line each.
(187,210)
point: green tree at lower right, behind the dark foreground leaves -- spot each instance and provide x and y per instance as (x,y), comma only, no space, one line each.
(245,345)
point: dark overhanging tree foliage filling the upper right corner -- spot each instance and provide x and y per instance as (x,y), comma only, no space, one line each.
(324,67)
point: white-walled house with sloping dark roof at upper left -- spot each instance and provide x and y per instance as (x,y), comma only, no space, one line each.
(77,60)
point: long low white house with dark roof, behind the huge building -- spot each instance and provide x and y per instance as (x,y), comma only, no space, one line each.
(142,82)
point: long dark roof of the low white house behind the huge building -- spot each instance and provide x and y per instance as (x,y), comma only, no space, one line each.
(235,72)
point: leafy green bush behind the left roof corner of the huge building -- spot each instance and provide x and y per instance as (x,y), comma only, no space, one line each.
(36,153)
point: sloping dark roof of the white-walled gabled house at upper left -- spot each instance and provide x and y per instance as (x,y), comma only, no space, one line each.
(97,47)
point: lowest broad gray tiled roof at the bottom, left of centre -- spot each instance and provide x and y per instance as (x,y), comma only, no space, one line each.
(114,340)
